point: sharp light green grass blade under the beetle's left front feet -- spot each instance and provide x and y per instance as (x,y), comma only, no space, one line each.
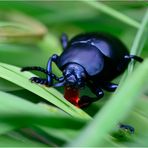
(13,74)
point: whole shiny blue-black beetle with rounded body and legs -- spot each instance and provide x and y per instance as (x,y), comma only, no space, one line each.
(92,59)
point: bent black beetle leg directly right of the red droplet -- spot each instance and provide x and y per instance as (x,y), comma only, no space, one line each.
(86,100)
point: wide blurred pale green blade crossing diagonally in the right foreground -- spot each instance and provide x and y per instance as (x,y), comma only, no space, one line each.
(115,109)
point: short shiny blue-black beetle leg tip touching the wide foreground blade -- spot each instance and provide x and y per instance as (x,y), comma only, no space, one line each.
(111,87)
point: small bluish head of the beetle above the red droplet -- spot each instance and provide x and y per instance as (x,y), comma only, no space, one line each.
(74,75)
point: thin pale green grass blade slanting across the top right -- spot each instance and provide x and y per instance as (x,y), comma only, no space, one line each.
(113,13)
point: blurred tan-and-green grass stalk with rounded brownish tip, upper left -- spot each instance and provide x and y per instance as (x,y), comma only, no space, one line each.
(17,27)
